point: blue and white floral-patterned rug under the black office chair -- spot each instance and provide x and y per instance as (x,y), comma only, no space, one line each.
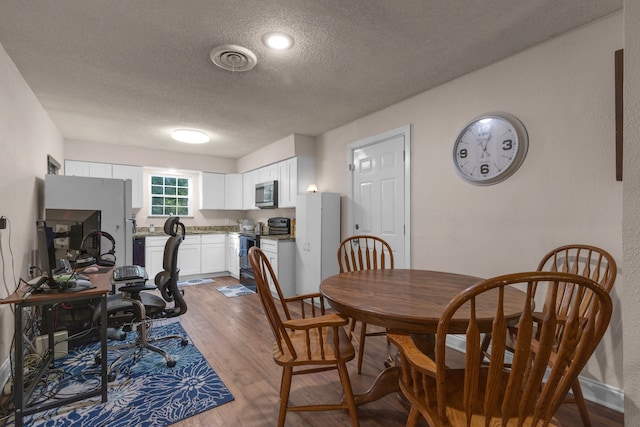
(145,392)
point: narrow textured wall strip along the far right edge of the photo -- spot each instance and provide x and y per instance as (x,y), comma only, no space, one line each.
(631,221)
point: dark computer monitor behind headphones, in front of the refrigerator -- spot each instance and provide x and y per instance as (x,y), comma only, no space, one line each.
(70,226)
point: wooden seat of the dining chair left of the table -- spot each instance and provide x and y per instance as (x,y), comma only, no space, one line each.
(316,355)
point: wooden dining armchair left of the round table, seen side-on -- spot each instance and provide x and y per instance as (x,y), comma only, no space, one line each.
(316,342)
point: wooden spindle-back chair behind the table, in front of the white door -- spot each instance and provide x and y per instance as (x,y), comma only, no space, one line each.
(357,253)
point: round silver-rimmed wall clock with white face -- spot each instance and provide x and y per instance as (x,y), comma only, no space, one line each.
(490,148)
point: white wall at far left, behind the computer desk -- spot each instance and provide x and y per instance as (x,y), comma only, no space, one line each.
(27,135)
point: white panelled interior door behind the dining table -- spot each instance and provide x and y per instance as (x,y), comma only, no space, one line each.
(380,189)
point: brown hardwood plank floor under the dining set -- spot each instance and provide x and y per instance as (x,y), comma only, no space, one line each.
(233,335)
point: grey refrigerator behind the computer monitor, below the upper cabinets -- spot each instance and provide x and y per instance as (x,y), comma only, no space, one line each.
(111,196)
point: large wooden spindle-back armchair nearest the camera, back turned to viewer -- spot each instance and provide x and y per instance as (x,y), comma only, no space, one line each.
(490,393)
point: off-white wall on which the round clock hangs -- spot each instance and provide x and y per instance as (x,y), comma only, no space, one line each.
(565,192)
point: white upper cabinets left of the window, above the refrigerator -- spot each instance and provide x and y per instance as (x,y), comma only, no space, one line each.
(108,170)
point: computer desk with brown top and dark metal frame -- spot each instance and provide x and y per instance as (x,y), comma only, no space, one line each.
(48,301)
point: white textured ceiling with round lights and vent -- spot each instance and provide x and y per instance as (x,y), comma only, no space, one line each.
(129,72)
